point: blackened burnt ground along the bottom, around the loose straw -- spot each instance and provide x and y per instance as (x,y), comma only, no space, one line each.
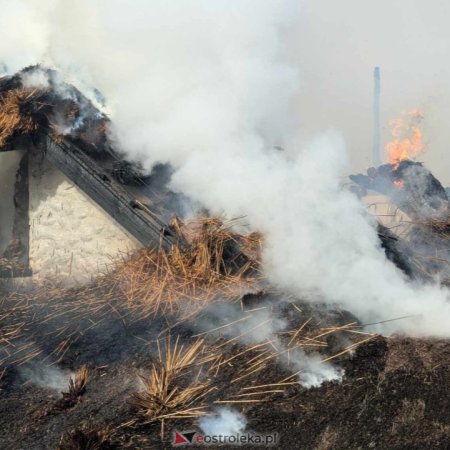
(394,395)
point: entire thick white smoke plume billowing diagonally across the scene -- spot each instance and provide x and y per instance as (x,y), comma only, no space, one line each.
(207,85)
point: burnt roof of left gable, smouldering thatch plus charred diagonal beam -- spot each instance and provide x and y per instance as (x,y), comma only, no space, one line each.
(38,110)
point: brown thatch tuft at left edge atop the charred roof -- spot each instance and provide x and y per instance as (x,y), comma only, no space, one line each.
(13,120)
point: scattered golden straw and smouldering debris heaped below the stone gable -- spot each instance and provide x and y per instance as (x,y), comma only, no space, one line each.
(184,376)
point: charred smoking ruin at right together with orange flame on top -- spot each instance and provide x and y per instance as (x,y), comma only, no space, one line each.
(414,227)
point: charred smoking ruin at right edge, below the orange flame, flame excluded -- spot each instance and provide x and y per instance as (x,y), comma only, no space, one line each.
(416,240)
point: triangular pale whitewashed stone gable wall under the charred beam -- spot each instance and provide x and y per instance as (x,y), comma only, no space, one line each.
(71,238)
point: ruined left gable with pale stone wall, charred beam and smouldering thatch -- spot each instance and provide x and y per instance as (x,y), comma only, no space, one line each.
(76,205)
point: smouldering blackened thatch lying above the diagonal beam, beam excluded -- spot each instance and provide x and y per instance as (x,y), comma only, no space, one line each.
(36,104)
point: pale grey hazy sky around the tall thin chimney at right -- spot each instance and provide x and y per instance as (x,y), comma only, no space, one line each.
(340,42)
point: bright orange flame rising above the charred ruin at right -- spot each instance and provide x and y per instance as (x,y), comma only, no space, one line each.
(407,137)
